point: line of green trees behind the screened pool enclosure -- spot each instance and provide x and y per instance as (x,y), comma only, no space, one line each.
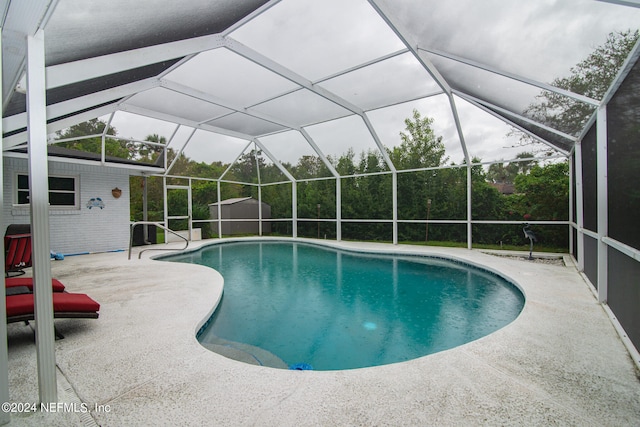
(541,191)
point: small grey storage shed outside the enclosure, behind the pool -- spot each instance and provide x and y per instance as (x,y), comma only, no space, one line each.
(233,211)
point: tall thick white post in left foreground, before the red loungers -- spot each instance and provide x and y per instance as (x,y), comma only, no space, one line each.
(39,205)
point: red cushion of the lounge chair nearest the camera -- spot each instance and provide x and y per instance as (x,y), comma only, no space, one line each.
(20,308)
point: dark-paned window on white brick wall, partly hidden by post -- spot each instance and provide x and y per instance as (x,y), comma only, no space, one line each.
(63,191)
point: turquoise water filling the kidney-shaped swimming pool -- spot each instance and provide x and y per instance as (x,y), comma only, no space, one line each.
(332,309)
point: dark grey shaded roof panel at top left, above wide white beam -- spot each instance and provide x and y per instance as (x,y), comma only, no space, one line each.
(79,29)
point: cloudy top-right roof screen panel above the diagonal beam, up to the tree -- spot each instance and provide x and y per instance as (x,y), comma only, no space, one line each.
(535,40)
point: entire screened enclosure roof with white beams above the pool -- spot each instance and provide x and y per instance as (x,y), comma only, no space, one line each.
(304,77)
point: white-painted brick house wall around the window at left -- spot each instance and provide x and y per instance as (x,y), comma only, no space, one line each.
(77,230)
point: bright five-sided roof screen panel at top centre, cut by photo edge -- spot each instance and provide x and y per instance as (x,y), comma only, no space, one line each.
(317,39)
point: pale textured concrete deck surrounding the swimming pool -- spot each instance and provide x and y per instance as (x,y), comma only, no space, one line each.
(560,362)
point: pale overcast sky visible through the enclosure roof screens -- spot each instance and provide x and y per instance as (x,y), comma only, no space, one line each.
(538,40)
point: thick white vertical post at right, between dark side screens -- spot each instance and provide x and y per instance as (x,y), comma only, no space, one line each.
(603,214)
